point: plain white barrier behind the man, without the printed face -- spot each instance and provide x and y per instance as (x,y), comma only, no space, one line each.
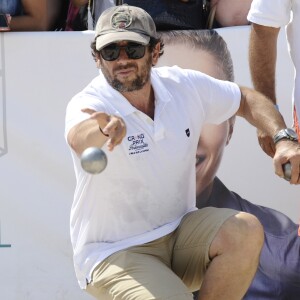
(39,73)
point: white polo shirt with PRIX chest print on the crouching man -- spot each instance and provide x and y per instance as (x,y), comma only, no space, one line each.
(149,182)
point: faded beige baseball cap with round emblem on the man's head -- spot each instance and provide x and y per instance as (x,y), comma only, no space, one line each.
(124,23)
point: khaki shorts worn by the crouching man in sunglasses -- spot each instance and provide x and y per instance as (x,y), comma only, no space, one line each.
(171,267)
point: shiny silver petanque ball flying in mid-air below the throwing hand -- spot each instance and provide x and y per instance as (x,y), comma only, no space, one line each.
(93,160)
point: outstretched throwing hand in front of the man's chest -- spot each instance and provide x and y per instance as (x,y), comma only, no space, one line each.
(111,126)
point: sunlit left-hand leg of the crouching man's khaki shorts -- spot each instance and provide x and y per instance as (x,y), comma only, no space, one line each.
(140,273)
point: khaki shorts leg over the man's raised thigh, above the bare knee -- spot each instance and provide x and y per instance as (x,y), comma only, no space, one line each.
(192,242)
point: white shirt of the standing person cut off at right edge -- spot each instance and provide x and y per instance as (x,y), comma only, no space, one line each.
(279,13)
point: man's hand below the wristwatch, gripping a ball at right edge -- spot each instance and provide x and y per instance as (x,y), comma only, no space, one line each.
(288,151)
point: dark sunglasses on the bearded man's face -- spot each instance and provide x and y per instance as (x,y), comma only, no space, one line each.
(133,51)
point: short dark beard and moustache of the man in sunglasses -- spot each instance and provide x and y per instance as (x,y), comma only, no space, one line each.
(129,86)
